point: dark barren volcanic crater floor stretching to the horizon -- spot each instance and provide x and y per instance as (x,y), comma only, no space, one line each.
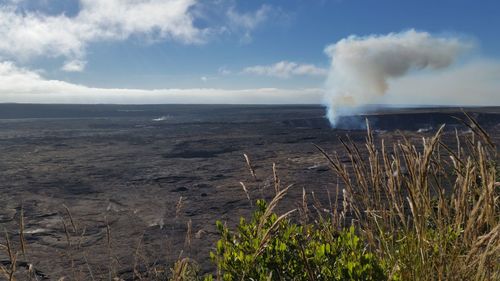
(122,171)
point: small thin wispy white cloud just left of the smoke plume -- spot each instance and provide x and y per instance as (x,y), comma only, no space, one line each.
(286,69)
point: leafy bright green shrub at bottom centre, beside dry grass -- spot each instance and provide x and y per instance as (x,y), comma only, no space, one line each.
(272,247)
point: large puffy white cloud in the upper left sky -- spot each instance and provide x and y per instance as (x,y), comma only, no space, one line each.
(27,34)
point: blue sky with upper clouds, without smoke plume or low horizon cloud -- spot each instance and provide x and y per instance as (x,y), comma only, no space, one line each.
(222,44)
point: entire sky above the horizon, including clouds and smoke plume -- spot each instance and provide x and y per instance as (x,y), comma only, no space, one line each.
(229,51)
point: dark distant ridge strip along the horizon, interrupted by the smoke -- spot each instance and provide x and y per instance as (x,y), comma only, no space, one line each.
(29,110)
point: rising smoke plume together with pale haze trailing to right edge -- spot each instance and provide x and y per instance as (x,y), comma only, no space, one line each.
(365,70)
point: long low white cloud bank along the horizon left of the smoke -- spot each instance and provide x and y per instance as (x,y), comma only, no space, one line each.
(22,85)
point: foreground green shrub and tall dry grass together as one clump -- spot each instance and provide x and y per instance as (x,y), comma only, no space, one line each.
(409,212)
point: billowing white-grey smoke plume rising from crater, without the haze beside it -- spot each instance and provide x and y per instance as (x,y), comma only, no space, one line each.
(362,67)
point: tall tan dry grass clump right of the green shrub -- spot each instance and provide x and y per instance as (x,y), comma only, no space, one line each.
(430,211)
